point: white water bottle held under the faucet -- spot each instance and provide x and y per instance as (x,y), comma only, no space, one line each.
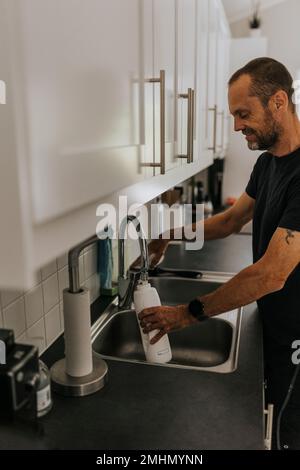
(146,296)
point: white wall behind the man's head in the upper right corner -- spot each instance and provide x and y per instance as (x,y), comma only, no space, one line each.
(280,25)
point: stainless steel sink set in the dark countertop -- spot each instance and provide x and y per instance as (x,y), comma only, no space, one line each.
(211,345)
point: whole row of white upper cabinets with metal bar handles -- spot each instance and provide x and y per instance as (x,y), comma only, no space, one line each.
(97,107)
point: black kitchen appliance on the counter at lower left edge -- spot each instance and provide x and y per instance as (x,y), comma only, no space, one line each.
(19,374)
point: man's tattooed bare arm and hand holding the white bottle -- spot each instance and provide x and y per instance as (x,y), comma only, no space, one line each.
(267,275)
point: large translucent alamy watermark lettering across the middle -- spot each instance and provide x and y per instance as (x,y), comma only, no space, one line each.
(156,221)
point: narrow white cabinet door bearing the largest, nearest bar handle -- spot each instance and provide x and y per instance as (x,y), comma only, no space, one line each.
(164,36)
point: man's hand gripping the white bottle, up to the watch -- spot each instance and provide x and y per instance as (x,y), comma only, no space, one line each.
(165,319)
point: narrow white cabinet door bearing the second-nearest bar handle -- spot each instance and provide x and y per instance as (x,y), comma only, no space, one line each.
(187,79)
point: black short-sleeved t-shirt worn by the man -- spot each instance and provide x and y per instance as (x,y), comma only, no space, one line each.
(275,186)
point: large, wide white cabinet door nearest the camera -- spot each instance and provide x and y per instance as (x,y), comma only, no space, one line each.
(80,86)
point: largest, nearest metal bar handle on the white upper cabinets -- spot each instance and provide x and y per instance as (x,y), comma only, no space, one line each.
(162,82)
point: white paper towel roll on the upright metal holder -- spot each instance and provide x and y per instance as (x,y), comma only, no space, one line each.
(78,345)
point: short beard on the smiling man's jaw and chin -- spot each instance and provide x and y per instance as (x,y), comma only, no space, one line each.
(267,137)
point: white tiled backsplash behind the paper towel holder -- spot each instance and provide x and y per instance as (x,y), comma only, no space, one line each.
(36,315)
